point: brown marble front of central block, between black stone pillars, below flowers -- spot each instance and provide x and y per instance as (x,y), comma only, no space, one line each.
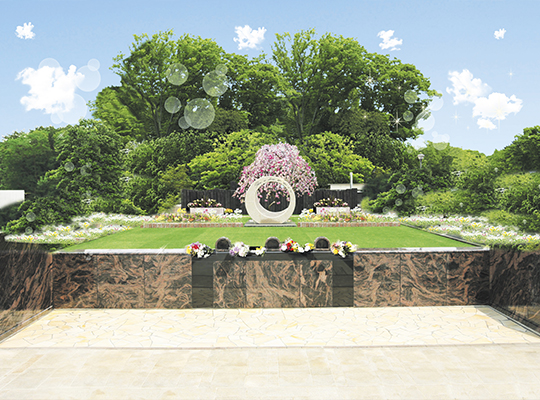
(288,281)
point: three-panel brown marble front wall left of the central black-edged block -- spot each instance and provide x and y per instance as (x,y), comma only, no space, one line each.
(128,280)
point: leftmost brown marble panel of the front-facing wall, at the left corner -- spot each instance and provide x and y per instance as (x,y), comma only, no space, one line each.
(74,281)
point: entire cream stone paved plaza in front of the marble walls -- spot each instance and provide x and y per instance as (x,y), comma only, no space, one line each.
(461,352)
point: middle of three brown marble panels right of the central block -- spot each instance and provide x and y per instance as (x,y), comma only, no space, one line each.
(423,279)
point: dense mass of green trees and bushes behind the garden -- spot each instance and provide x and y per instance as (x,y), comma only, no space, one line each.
(189,115)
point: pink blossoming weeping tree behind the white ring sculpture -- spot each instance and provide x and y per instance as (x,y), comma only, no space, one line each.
(281,160)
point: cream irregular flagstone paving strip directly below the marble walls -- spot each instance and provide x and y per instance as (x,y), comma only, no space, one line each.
(220,328)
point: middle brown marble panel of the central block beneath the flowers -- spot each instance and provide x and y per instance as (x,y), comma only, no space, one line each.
(272,284)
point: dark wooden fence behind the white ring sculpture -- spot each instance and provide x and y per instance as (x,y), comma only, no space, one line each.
(225,197)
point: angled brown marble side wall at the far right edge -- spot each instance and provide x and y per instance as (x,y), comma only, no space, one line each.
(515,284)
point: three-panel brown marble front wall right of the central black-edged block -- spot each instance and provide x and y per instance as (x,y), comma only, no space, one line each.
(405,278)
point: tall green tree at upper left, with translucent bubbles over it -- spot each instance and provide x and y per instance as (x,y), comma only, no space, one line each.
(144,73)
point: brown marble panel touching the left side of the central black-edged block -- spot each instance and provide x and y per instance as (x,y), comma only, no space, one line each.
(167,281)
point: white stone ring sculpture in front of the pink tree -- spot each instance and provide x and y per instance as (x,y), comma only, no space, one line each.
(258,212)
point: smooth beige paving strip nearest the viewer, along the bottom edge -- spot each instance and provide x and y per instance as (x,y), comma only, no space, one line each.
(510,371)
